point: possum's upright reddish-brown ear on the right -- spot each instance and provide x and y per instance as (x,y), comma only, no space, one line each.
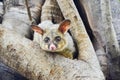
(64,26)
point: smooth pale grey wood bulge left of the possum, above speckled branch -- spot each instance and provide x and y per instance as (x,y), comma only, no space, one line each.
(19,22)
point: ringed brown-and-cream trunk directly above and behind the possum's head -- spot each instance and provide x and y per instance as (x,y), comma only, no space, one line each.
(51,11)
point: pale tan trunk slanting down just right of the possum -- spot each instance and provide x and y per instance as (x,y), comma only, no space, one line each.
(86,50)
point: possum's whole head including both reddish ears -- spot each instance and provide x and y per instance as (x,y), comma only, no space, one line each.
(53,40)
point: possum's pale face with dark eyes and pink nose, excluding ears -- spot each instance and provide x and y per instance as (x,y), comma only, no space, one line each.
(53,41)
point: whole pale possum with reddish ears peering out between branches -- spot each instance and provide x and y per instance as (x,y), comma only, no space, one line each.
(55,37)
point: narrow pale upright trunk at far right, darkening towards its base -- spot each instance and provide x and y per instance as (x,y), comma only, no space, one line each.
(112,46)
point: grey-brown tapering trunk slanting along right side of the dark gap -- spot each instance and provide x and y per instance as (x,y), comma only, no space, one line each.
(97,40)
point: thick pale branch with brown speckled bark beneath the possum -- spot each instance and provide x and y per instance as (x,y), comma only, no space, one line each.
(24,56)
